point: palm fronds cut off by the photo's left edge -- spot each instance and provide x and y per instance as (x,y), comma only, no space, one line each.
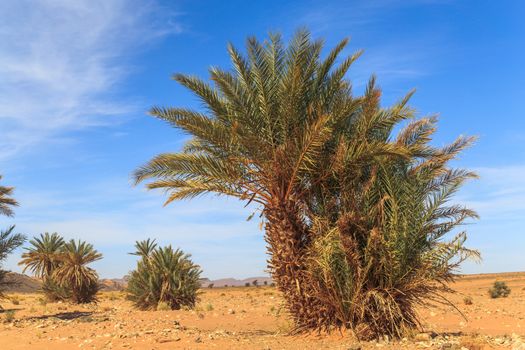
(9,241)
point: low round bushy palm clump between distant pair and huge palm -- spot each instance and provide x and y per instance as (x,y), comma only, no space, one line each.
(164,278)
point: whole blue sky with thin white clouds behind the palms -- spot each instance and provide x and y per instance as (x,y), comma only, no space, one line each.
(77,78)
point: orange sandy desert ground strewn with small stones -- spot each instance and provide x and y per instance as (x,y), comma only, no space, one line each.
(251,318)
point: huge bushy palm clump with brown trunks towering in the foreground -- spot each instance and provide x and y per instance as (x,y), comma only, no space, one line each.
(354,198)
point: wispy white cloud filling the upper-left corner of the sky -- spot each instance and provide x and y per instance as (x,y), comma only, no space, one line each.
(60,62)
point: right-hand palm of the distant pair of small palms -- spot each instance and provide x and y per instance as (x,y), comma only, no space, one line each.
(73,272)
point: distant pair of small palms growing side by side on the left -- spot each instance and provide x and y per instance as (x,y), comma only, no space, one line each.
(63,267)
